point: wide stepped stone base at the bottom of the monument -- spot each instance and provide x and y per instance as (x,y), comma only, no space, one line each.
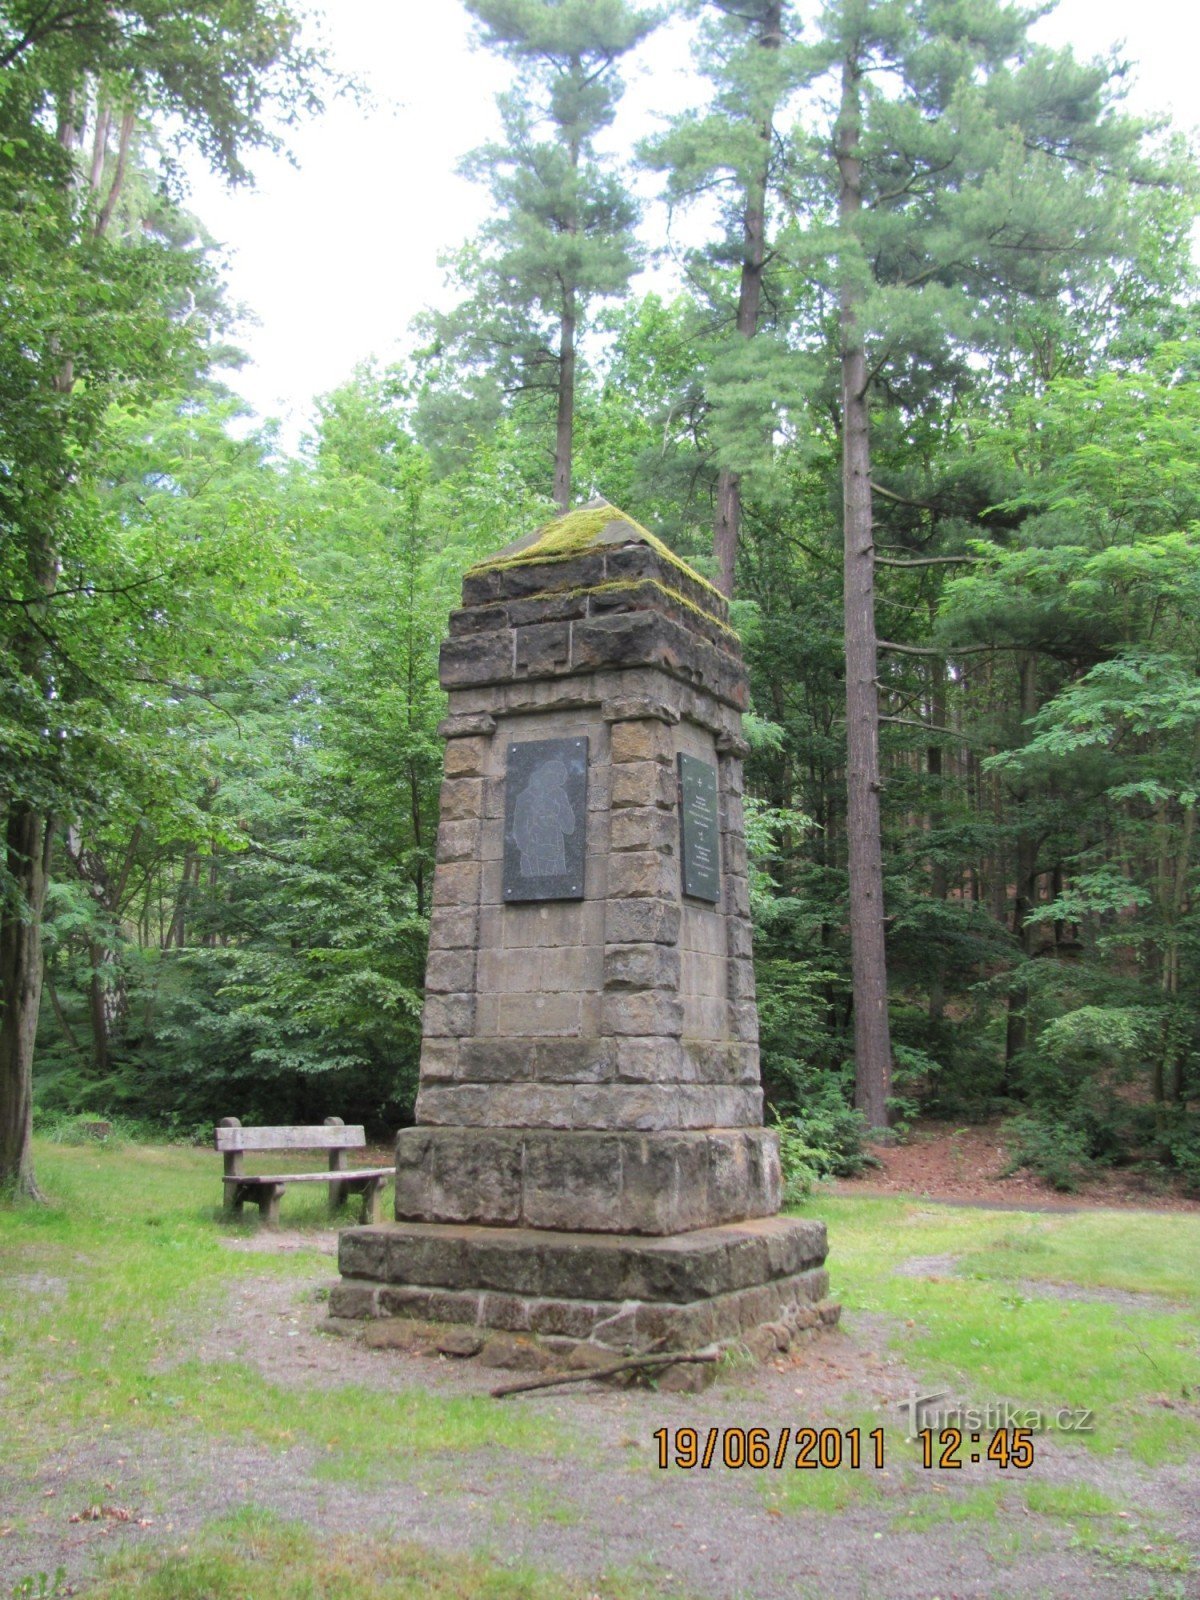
(626,1294)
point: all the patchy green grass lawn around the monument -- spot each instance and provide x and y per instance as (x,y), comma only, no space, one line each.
(103,1297)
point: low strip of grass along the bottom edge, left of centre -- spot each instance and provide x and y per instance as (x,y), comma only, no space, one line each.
(257,1554)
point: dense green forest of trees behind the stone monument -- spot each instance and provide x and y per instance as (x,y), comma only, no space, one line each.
(924,404)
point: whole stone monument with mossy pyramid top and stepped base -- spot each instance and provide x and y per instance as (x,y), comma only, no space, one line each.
(590,1161)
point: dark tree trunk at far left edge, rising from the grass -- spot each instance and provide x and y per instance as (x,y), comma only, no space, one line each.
(28,842)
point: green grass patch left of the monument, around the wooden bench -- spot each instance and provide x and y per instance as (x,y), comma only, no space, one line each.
(98,1290)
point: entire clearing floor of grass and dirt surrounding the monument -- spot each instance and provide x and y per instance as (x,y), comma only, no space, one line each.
(178,1426)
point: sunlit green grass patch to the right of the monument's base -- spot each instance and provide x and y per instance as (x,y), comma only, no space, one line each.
(1138,1370)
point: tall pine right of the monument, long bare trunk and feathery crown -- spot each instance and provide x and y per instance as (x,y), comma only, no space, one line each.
(967,178)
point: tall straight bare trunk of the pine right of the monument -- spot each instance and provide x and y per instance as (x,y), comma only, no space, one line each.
(868,958)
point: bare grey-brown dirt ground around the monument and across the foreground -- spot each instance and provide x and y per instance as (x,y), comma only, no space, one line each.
(601,1505)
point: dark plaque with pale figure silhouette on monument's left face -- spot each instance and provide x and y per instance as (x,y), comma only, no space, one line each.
(546,820)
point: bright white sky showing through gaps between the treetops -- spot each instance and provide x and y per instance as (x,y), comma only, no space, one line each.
(337,255)
